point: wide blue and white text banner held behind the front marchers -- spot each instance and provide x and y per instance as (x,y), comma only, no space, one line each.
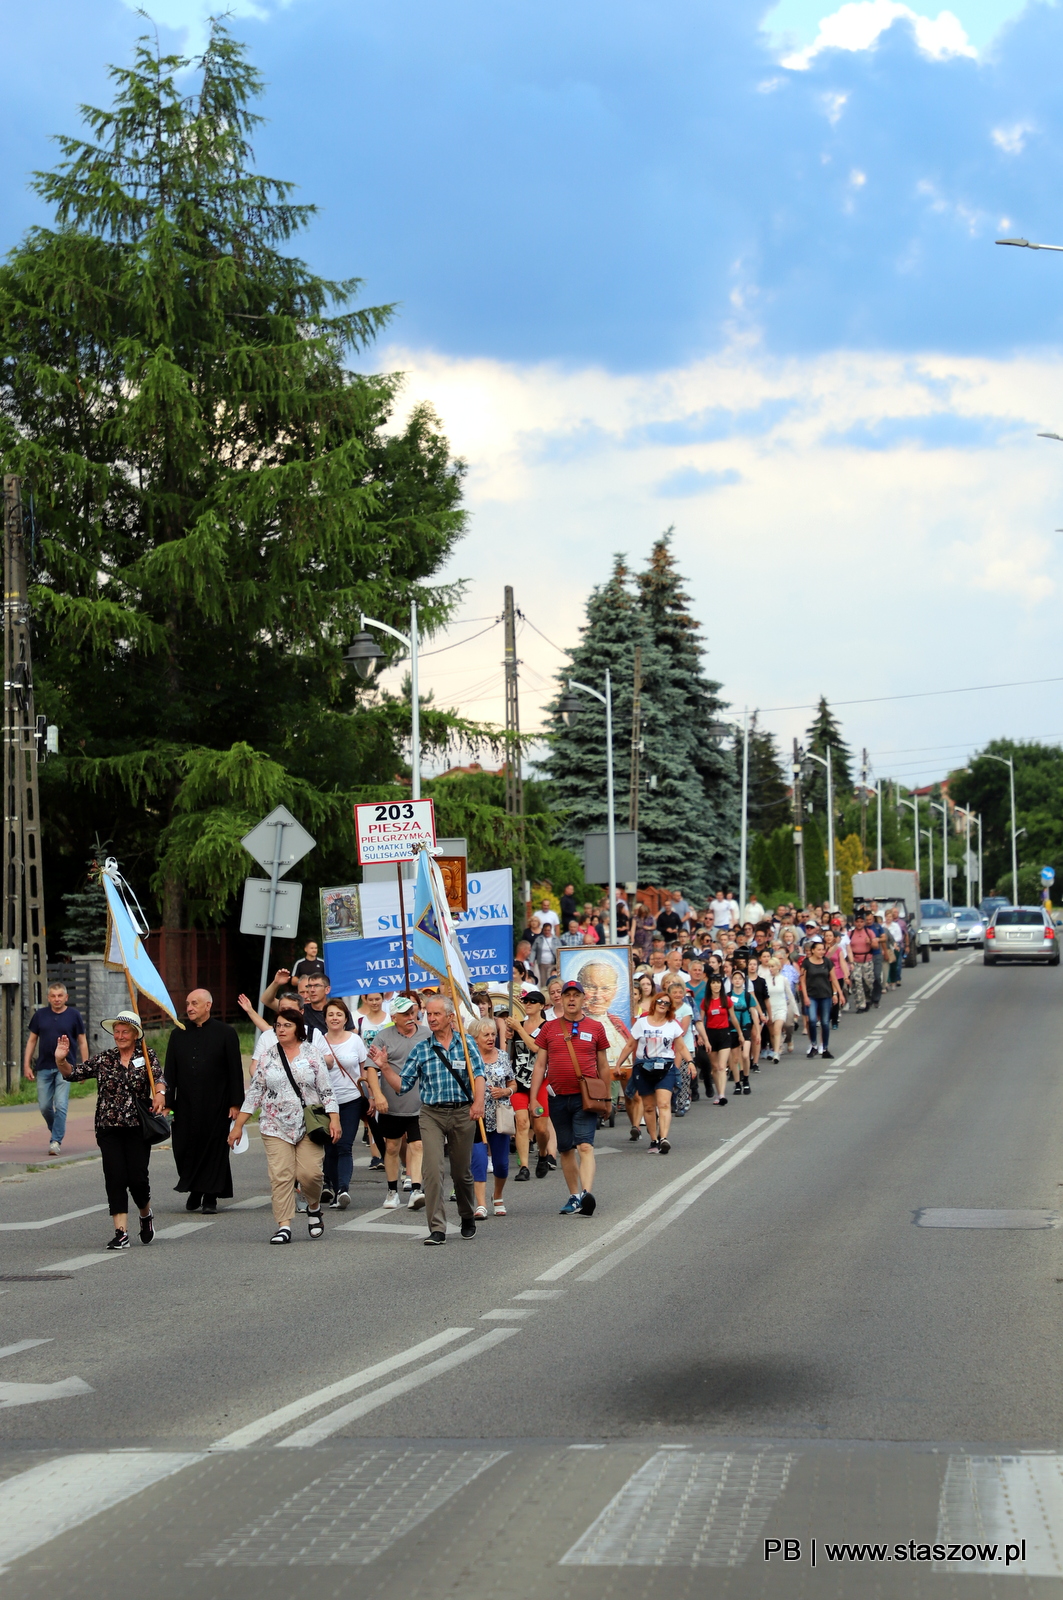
(372,964)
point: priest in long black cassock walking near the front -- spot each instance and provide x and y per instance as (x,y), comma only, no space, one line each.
(204,1092)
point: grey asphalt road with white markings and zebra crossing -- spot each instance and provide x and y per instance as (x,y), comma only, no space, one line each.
(764,1337)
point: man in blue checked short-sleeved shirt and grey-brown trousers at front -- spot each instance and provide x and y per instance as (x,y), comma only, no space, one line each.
(451,1111)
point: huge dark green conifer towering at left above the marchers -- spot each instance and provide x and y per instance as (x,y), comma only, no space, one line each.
(219,494)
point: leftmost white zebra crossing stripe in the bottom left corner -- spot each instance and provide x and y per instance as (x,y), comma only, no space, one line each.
(62,1495)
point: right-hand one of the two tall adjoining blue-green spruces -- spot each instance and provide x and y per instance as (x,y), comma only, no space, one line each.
(702,830)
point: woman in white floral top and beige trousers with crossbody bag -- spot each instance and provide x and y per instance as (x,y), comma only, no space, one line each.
(291,1076)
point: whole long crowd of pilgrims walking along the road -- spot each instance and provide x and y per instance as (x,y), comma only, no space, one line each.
(715,996)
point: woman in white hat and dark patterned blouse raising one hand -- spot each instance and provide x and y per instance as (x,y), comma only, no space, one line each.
(122,1076)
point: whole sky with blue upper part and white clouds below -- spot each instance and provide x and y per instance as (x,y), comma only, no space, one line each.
(712,266)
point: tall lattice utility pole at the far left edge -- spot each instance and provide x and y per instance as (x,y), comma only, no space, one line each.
(23,892)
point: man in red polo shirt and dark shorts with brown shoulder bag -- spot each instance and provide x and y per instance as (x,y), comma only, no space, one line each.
(571,1034)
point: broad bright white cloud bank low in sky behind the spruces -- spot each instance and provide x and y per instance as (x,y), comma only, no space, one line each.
(864,497)
